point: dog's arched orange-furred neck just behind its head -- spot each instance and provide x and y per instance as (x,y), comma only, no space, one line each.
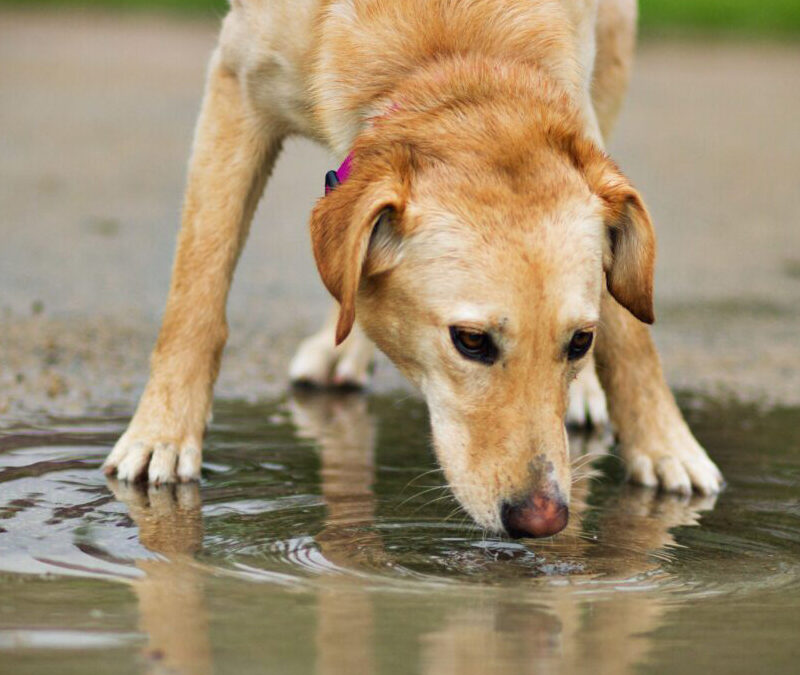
(485,102)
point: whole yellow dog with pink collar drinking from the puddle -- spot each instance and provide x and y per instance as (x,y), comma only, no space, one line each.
(477,231)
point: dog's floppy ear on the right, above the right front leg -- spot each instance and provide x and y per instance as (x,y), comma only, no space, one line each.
(630,260)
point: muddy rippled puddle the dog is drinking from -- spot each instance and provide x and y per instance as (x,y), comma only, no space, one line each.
(321,540)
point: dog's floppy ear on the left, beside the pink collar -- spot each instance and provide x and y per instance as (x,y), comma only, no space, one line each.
(356,219)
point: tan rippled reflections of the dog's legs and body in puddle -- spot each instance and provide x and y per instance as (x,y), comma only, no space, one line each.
(563,631)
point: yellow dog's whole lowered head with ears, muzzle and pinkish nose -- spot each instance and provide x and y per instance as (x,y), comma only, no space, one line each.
(476,262)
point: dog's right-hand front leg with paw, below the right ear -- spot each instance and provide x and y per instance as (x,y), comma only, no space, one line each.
(655,441)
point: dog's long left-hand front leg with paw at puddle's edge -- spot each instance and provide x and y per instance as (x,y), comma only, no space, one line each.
(234,150)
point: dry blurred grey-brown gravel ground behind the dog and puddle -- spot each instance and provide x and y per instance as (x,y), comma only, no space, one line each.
(97,111)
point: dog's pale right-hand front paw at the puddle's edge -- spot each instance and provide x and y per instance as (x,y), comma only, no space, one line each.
(677,464)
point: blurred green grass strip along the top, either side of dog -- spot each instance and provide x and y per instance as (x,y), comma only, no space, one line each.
(740,18)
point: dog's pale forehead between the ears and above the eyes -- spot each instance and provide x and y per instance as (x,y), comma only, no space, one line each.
(492,271)
